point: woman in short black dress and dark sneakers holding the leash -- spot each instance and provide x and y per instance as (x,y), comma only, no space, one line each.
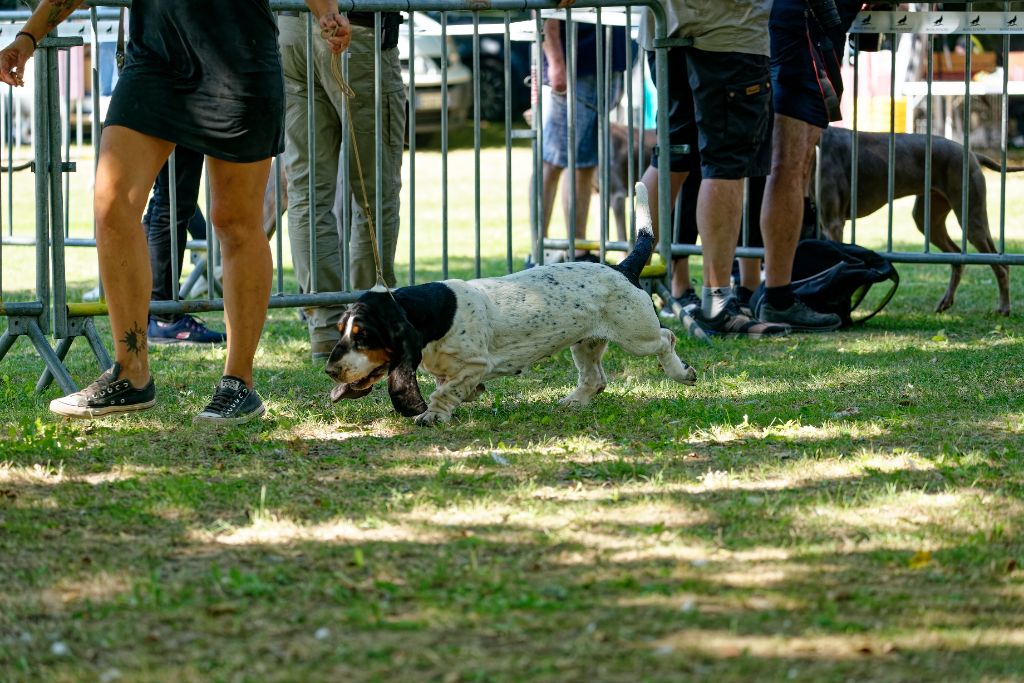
(204,74)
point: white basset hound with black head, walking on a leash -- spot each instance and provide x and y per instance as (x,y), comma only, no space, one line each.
(467,332)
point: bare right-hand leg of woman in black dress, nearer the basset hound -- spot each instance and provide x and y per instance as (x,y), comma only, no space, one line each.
(248,268)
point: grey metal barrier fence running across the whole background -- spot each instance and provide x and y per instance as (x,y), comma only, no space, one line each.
(49,311)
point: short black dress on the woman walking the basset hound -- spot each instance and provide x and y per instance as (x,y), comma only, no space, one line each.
(206,75)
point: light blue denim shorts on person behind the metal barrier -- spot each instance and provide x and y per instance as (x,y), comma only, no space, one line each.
(557,130)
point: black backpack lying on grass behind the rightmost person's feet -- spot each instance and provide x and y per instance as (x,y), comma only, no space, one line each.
(834,278)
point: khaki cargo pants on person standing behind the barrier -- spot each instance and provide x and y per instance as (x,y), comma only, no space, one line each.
(329,132)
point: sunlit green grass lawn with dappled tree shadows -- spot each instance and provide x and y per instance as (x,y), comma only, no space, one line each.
(845,507)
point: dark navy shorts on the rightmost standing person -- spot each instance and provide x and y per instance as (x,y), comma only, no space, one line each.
(805,65)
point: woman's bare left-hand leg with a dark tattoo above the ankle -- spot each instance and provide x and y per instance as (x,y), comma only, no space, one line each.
(130,162)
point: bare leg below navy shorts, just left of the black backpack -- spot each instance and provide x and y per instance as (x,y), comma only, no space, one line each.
(783,211)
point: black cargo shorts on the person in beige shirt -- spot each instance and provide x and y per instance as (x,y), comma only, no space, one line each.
(721,101)
